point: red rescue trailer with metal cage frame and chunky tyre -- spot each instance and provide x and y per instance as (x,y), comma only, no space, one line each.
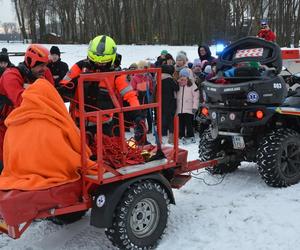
(129,199)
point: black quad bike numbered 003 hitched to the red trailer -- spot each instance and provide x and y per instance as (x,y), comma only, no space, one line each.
(253,115)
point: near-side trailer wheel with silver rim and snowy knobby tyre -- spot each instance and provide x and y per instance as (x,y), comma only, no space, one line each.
(140,217)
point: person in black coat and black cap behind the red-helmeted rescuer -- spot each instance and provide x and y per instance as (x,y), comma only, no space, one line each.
(58,68)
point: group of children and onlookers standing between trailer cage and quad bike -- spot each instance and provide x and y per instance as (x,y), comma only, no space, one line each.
(180,89)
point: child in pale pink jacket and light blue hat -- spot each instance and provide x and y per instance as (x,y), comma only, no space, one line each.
(187,105)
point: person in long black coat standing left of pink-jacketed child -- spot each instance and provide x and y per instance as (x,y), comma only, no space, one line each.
(169,89)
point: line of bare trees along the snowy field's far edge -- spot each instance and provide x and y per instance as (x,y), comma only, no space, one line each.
(174,22)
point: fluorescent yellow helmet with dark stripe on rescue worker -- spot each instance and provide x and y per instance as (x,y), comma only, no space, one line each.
(102,49)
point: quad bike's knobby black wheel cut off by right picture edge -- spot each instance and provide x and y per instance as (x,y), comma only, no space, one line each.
(278,158)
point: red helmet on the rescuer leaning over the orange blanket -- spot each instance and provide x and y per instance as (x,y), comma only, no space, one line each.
(36,53)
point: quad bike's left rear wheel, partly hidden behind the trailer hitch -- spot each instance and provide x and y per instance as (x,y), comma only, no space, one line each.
(212,148)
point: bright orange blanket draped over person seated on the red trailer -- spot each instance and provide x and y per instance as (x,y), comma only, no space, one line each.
(42,143)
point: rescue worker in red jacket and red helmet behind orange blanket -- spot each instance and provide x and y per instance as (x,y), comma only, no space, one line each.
(14,80)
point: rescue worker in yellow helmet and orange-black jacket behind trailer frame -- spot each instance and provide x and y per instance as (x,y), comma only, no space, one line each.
(101,58)
